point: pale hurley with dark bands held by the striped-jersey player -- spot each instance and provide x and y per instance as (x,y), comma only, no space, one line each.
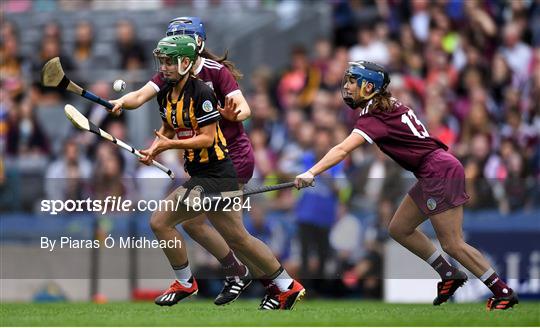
(81,122)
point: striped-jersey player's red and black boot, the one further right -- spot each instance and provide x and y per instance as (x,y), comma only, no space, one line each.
(274,299)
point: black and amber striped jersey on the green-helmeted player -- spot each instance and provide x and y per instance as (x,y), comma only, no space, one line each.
(195,107)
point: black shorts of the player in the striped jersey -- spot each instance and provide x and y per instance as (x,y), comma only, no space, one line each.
(213,178)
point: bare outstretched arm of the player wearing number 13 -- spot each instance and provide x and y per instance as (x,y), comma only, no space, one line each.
(333,157)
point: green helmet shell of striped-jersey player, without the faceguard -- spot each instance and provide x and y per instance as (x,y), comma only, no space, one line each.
(178,47)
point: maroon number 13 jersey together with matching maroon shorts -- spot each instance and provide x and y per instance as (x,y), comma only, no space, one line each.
(400,135)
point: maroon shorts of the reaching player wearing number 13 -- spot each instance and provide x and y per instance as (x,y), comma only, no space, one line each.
(441,183)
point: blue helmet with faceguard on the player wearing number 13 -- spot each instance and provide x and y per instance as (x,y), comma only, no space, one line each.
(363,73)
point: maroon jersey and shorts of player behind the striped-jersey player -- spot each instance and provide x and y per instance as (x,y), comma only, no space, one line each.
(220,79)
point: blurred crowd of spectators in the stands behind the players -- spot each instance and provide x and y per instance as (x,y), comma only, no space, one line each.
(470,70)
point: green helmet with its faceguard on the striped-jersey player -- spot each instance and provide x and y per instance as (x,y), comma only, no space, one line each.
(172,50)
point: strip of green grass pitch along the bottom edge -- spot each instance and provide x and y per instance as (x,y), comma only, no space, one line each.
(245,313)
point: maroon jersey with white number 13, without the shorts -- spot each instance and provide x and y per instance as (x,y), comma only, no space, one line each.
(398,133)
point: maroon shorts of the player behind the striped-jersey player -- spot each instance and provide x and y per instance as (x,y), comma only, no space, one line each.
(241,154)
